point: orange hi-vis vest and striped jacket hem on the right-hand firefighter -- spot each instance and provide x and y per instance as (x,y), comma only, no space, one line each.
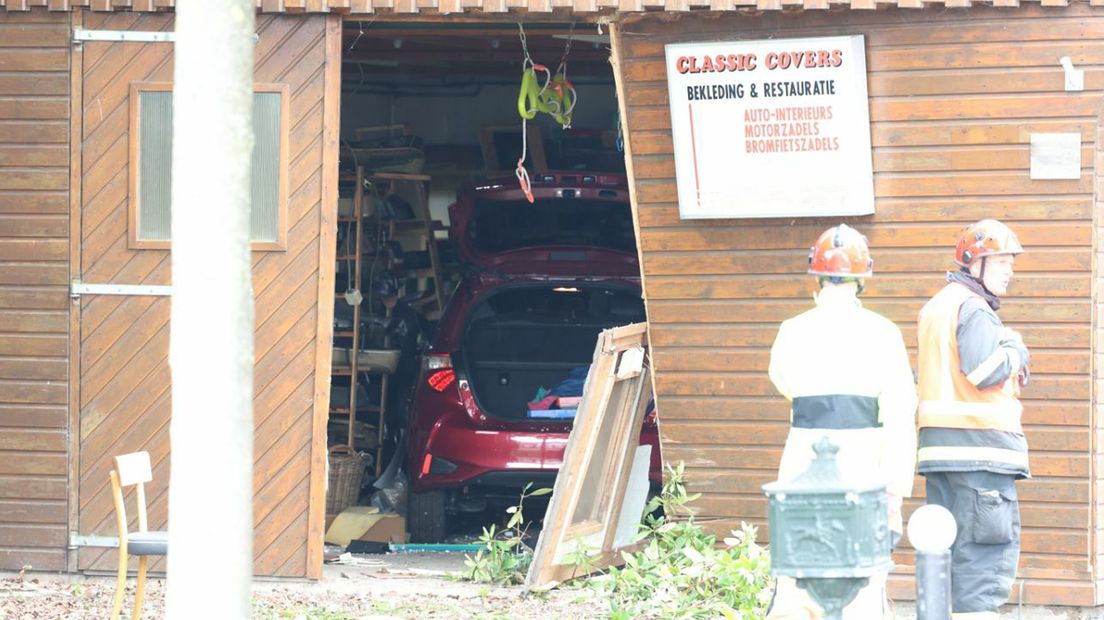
(962,427)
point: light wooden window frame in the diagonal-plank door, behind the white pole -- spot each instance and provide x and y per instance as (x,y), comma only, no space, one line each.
(280,244)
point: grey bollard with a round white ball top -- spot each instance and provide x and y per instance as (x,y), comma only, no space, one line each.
(932,531)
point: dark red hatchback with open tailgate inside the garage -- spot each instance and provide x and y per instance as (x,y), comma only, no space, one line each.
(546,280)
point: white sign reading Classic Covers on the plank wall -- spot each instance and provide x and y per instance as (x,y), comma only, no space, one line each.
(771,129)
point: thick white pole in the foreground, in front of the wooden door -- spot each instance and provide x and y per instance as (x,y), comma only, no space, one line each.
(210,570)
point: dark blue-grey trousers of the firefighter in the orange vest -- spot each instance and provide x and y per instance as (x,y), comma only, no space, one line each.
(988,550)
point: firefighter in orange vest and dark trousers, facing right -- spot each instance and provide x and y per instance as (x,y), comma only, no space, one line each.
(972,445)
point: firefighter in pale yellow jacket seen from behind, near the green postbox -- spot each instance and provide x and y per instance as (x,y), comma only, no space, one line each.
(846,372)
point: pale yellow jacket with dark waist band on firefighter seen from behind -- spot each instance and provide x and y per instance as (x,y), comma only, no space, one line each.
(846,372)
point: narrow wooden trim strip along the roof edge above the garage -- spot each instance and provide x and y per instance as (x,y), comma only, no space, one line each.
(492,7)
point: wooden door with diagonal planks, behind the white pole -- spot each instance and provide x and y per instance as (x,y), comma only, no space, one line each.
(125,398)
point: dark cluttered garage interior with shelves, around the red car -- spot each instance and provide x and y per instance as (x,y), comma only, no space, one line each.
(429,110)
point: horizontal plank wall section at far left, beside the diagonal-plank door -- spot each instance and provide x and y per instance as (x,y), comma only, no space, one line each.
(34,290)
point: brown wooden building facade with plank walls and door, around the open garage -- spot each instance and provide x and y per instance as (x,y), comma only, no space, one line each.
(956,93)
